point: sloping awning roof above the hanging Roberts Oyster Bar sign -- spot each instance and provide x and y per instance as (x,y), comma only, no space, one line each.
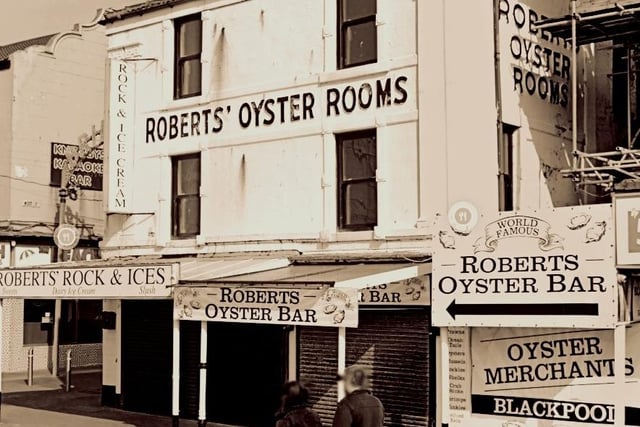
(359,276)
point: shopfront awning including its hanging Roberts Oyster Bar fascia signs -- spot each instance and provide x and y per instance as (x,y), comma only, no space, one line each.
(315,295)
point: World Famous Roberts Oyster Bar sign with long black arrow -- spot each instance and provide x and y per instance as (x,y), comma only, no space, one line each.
(552,268)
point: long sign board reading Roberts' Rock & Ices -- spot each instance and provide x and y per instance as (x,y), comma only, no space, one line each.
(139,282)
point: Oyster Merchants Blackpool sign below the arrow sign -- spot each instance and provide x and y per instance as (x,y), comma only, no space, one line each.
(543,376)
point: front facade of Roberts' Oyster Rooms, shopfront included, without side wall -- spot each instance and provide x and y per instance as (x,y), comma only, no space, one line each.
(262,129)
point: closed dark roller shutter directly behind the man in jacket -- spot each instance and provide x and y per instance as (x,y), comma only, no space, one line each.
(395,344)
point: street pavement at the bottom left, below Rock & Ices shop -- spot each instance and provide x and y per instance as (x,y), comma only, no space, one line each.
(46,403)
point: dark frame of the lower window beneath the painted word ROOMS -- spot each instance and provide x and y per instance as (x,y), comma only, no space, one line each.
(343,184)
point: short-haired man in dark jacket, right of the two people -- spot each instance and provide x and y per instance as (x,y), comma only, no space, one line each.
(359,408)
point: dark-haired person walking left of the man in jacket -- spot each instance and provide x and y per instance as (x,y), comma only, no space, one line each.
(294,407)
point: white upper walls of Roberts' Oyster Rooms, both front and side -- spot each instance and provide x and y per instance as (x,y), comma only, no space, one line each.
(274,185)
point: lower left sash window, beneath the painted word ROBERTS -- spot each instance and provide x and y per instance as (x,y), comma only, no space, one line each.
(185,218)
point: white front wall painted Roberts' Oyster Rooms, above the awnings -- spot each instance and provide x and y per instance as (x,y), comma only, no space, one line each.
(268,182)
